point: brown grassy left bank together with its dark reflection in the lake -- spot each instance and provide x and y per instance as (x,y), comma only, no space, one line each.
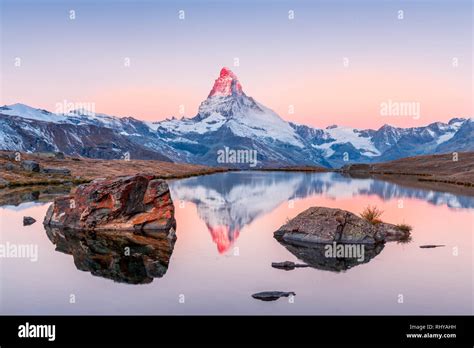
(19,184)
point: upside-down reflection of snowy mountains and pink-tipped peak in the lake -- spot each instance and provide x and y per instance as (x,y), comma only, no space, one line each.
(228,202)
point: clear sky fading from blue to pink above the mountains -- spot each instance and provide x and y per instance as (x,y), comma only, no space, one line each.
(283,62)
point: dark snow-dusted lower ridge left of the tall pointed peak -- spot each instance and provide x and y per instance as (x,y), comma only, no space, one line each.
(23,128)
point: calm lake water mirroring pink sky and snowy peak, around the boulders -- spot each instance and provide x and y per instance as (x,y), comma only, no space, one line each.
(225,247)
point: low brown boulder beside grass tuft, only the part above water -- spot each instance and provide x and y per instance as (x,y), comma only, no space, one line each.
(327,225)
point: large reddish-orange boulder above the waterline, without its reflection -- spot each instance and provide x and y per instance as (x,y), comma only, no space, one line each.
(139,202)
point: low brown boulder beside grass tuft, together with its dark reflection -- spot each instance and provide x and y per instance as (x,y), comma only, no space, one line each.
(335,240)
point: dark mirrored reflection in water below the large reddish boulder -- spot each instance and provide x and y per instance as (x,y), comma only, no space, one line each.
(122,256)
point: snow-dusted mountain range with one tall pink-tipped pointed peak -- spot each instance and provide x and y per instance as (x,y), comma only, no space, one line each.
(228,118)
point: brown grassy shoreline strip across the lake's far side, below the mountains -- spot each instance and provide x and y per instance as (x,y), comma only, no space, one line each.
(411,171)
